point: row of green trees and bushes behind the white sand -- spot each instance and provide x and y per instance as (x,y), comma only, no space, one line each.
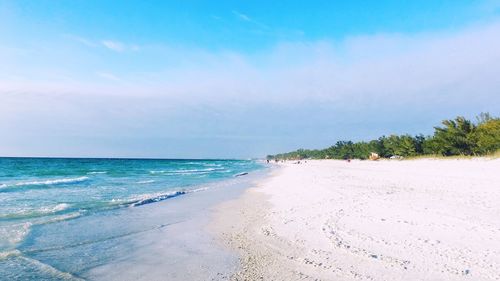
(457,137)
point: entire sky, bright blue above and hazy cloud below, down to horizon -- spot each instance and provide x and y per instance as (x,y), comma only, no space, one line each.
(237,79)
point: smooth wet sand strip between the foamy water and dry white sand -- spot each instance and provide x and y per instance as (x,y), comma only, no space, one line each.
(184,249)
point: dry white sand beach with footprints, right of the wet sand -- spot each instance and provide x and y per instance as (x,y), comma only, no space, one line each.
(386,220)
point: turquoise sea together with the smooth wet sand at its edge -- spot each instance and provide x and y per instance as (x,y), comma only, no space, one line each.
(113,219)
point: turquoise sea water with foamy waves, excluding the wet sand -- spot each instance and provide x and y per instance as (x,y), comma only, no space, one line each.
(61,217)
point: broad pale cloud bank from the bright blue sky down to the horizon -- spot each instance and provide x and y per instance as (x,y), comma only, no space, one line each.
(295,94)
